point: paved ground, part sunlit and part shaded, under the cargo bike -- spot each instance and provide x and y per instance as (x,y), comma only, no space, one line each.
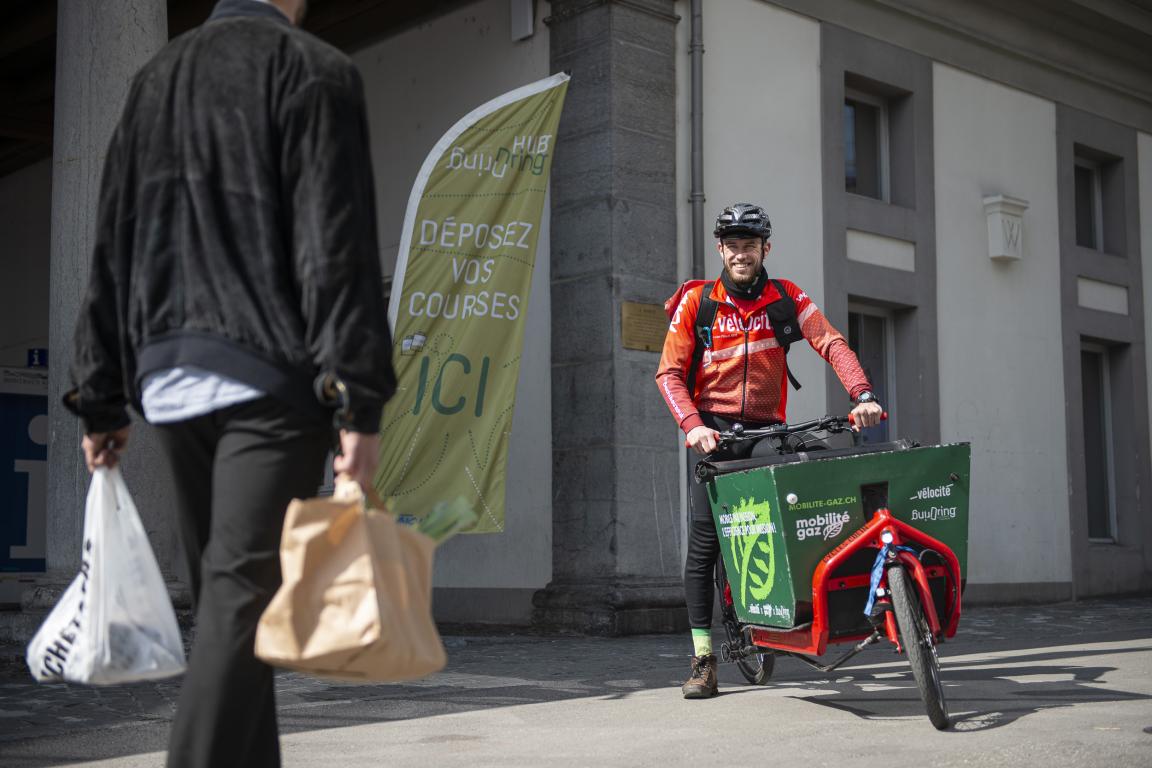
(1055,686)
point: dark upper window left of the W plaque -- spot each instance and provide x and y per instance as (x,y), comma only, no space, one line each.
(866,145)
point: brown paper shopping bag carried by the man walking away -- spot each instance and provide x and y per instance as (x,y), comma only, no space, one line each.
(357,599)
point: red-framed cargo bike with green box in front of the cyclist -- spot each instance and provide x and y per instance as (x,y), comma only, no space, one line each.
(824,545)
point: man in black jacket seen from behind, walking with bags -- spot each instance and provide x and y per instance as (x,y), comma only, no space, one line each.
(236,269)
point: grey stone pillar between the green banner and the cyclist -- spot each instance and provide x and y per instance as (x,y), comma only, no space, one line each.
(617,515)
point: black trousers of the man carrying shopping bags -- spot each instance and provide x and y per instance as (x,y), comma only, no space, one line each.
(236,472)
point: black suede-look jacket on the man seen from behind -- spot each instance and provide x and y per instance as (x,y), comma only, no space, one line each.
(237,227)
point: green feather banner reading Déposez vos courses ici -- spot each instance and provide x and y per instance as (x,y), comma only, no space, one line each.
(459,306)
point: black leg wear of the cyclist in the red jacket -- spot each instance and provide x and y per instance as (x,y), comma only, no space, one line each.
(703,544)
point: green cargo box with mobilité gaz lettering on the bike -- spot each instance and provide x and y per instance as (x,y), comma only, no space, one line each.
(777,522)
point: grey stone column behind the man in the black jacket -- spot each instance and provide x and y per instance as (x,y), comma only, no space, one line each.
(100,48)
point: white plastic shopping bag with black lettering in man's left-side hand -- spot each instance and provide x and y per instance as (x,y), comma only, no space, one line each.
(115,623)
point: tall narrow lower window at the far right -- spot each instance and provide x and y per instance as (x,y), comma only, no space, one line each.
(1098,460)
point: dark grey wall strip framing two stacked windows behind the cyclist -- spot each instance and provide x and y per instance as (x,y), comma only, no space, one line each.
(877,105)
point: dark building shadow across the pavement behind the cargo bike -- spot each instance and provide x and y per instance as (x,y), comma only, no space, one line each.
(994,676)
